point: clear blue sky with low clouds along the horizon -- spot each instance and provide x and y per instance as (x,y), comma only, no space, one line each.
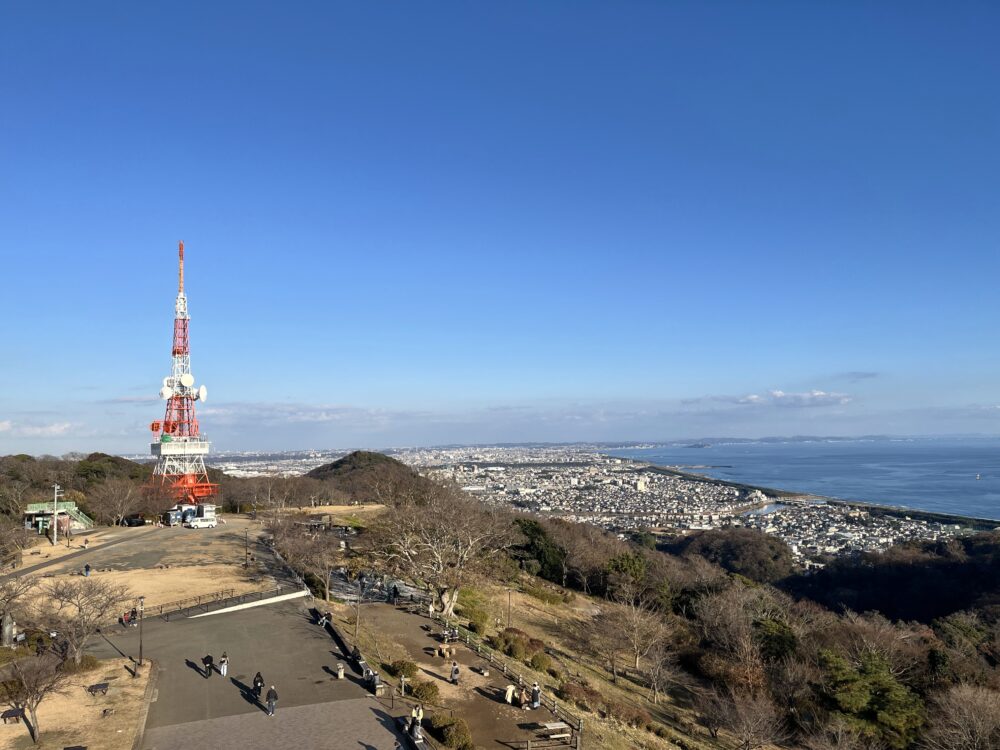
(473,222)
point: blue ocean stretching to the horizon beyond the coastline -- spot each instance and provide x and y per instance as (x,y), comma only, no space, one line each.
(928,474)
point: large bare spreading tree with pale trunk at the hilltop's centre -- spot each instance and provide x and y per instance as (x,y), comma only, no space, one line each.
(443,541)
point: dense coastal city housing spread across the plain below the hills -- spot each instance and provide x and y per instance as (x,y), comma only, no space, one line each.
(580,483)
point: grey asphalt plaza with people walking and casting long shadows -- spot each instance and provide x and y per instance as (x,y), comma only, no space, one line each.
(281,641)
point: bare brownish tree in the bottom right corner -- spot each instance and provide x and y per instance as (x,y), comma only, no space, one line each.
(964,717)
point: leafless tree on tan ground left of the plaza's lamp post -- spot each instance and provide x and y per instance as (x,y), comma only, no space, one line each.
(79,608)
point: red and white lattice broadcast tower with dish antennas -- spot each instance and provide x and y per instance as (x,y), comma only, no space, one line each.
(179,448)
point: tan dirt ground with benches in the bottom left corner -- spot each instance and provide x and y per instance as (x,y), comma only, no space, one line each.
(75,717)
